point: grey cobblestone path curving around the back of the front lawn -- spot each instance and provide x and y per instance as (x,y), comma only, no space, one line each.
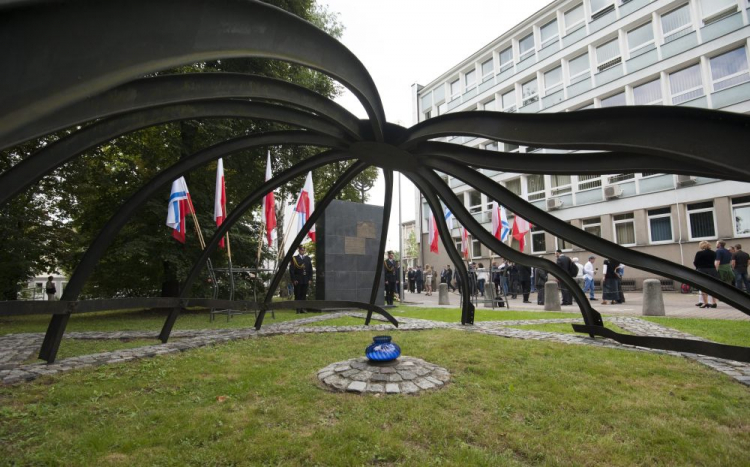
(15,349)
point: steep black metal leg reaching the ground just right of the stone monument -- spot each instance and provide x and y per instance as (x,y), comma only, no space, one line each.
(427,189)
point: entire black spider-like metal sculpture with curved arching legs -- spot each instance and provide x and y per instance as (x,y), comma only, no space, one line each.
(70,80)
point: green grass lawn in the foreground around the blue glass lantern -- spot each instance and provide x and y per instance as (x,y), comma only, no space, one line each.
(257,402)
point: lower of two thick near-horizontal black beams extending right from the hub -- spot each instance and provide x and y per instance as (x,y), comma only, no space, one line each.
(590,163)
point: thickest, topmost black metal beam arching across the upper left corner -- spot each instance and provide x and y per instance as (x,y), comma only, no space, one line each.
(187,32)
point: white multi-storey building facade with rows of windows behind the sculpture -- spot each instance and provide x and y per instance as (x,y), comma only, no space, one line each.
(581,54)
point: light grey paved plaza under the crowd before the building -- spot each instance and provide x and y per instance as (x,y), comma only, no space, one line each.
(676,305)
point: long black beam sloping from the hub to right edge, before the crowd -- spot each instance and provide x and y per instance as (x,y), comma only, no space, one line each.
(536,216)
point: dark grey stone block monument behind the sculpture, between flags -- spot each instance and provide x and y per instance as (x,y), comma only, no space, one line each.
(347,252)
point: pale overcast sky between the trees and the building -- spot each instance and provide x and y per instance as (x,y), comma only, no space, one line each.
(402,42)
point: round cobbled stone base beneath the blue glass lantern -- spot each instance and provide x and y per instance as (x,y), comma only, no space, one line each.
(405,375)
